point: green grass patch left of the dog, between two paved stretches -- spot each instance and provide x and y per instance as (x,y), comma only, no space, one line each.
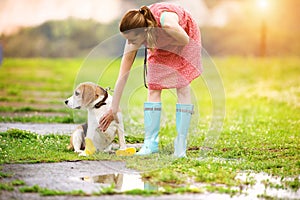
(19,146)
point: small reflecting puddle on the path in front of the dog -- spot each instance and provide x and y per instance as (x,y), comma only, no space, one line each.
(122,182)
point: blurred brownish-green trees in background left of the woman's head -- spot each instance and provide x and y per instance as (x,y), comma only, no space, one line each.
(67,38)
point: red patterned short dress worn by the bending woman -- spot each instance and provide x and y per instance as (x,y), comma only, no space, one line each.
(172,66)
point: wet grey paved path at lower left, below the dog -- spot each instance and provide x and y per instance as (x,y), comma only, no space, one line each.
(67,176)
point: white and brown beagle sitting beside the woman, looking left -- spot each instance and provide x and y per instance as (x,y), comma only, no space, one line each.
(86,96)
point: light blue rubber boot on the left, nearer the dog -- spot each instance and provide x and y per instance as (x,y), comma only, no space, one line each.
(152,112)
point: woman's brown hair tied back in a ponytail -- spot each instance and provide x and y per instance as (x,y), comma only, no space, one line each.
(138,19)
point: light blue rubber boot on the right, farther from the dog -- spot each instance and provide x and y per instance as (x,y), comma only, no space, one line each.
(183,118)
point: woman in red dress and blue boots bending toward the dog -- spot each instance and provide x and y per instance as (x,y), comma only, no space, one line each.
(174,60)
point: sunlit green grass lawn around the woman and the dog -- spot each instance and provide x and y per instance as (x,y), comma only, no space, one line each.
(261,130)
